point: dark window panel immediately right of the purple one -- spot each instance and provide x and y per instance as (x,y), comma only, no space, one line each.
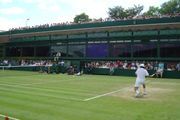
(120,50)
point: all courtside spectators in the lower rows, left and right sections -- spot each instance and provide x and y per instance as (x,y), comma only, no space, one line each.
(133,65)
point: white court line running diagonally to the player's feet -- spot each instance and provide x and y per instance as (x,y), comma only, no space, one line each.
(98,96)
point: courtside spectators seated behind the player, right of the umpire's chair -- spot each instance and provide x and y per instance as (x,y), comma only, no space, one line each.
(133,65)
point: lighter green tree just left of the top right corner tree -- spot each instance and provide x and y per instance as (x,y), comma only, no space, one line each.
(153,11)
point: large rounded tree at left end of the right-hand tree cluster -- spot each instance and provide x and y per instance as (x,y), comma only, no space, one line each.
(117,12)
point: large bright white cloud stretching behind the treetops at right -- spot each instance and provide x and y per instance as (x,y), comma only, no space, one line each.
(99,8)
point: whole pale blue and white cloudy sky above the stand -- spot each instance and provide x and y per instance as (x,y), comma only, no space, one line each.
(19,13)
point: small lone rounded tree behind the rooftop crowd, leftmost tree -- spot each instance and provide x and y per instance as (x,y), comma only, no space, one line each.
(81,18)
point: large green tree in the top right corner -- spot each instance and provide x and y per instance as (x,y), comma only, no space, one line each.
(170,7)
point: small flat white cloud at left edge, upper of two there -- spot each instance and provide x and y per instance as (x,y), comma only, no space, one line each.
(13,10)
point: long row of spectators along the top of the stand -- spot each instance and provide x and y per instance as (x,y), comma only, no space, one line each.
(93,21)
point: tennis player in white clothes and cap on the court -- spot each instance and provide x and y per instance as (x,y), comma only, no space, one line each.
(141,73)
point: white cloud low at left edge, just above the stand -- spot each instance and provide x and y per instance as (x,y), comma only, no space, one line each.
(6,24)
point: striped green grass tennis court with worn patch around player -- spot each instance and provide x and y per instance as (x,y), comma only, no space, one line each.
(35,96)
